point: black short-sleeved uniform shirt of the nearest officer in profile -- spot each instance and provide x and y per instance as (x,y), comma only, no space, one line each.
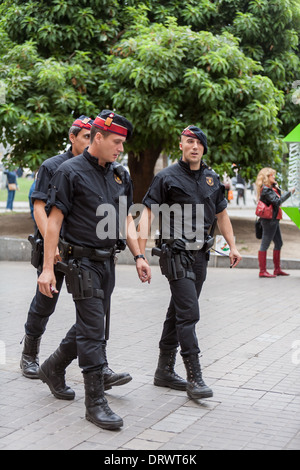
(78,188)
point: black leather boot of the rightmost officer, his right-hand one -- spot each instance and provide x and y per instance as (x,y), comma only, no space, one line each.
(196,387)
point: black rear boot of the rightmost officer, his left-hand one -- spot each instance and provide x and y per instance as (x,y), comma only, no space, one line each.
(165,375)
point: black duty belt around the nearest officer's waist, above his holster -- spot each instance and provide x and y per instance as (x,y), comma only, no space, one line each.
(67,251)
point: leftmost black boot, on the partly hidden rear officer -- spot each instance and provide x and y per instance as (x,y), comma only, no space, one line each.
(30,357)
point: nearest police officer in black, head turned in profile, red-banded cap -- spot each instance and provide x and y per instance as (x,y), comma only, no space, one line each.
(83,191)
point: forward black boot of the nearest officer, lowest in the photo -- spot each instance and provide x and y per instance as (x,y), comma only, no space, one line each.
(97,409)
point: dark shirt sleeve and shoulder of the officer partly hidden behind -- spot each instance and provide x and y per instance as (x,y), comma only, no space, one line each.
(45,174)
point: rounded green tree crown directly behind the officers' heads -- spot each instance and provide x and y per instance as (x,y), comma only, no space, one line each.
(165,77)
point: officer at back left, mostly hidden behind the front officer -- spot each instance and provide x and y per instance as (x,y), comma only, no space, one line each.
(42,307)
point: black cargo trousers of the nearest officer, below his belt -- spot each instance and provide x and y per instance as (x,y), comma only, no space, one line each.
(86,337)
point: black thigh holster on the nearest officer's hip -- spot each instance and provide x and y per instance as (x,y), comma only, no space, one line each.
(78,281)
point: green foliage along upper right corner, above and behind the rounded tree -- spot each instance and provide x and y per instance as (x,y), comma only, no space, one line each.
(268,31)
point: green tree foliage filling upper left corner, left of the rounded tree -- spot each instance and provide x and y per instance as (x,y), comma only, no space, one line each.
(51,55)
